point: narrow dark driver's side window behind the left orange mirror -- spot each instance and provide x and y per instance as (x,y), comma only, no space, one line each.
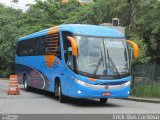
(67,50)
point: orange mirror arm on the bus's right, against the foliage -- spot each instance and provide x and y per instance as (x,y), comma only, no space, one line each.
(135,48)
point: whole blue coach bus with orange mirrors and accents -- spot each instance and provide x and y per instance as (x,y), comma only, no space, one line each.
(76,60)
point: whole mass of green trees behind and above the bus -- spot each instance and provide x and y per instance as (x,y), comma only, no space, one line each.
(141,18)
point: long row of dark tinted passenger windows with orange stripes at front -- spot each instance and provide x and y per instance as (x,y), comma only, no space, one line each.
(44,45)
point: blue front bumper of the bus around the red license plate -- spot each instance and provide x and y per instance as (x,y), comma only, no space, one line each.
(88,92)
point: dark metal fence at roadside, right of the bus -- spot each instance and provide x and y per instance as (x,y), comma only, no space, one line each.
(146,74)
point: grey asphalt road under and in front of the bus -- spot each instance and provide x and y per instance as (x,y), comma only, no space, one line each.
(40,102)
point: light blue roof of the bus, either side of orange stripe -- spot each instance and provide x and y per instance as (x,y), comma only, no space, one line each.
(81,29)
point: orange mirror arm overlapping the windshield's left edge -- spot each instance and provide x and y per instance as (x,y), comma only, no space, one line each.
(73,44)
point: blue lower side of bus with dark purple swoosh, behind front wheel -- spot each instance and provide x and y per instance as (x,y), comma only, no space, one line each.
(39,74)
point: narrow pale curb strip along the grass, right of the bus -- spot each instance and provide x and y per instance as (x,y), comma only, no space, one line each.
(150,100)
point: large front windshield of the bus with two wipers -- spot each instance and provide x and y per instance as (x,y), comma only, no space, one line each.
(101,57)
